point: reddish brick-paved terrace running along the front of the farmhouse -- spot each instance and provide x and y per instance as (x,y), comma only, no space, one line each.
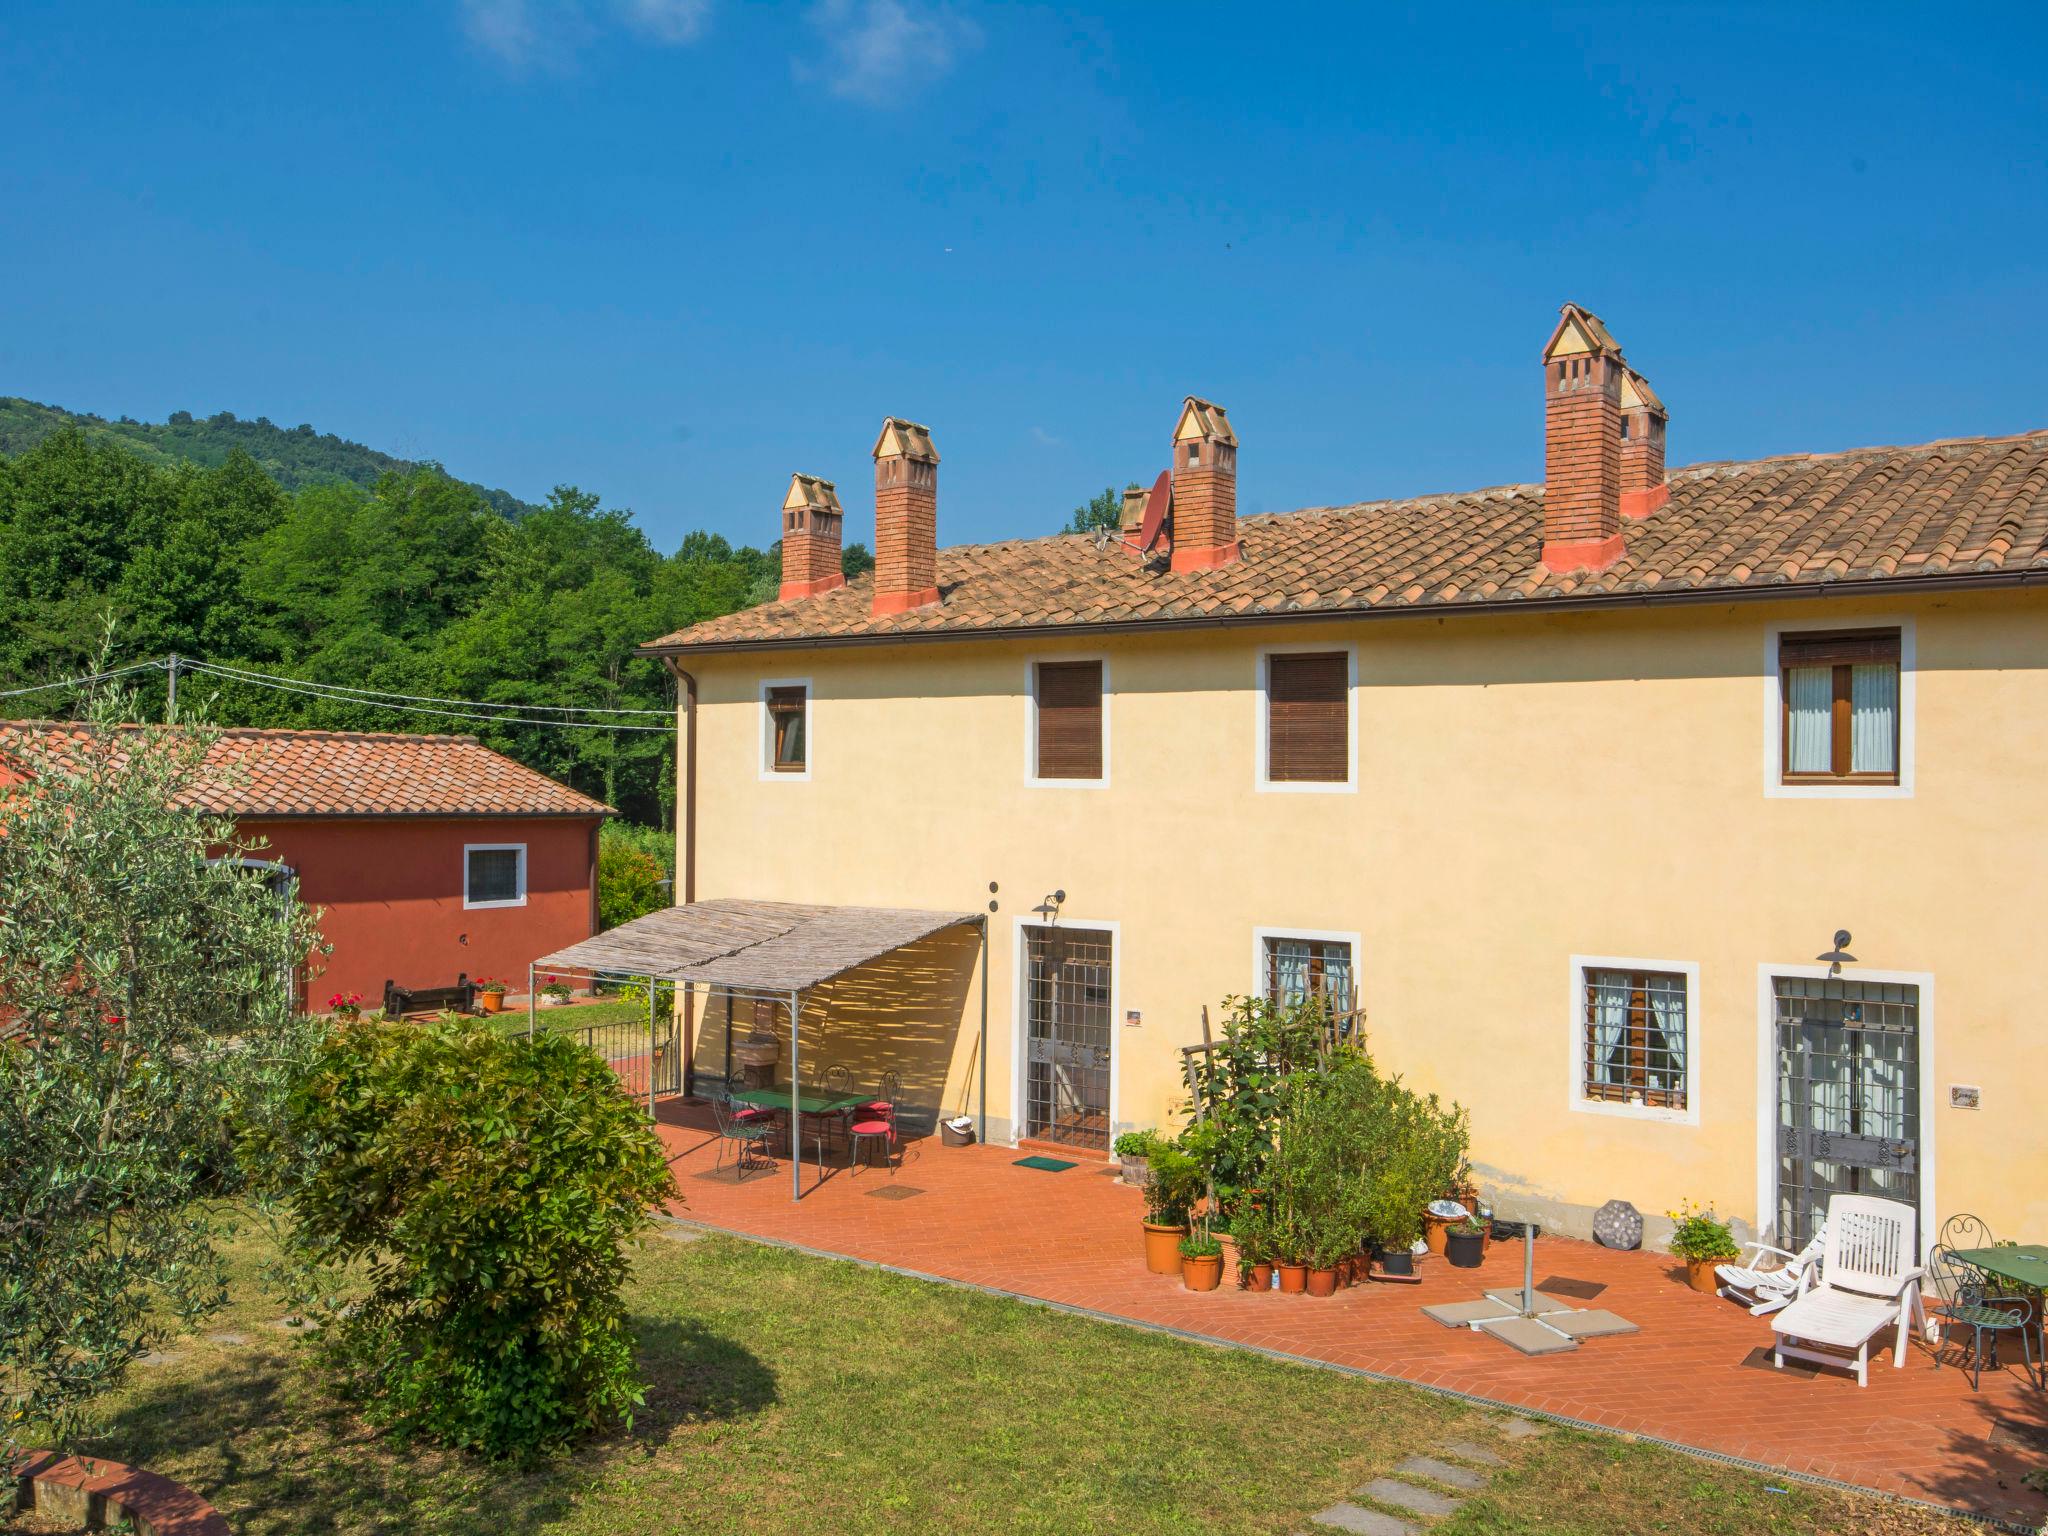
(1074,1238)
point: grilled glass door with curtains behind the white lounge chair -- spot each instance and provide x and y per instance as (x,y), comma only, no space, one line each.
(1848,1097)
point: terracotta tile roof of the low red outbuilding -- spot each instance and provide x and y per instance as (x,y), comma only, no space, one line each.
(351,775)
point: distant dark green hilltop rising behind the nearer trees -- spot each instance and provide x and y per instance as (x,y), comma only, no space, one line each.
(292,456)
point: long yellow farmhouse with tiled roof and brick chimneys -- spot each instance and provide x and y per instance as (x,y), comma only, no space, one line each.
(1684,826)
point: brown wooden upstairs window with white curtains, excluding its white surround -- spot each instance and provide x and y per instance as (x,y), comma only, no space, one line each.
(1840,708)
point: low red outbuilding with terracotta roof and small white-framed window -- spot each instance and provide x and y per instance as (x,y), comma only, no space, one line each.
(429,857)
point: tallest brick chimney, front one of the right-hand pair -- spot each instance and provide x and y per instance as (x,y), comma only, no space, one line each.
(1582,497)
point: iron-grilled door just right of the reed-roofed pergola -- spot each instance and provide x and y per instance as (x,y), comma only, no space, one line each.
(1068,1037)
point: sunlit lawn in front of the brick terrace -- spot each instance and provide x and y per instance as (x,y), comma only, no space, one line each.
(802,1396)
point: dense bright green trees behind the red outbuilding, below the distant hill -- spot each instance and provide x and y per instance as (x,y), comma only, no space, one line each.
(415,585)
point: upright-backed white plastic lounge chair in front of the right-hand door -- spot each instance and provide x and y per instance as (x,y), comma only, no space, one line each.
(1869,1283)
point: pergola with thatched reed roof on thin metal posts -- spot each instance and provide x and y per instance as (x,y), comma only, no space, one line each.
(773,951)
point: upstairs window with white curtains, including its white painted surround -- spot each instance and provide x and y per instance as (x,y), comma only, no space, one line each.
(1840,710)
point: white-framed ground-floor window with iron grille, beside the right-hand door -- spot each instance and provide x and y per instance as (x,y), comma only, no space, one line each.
(1635,1037)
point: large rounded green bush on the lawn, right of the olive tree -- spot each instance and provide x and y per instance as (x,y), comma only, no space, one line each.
(486,1187)
